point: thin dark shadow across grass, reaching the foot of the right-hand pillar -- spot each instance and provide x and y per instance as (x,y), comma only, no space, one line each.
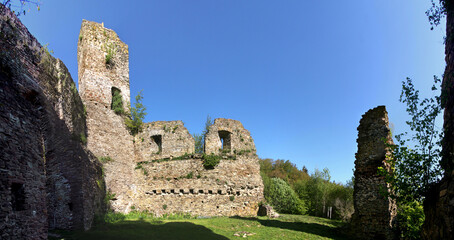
(311,228)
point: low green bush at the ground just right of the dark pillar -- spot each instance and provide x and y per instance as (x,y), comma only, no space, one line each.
(410,218)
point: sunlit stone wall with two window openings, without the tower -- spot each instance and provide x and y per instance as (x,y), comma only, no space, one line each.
(233,187)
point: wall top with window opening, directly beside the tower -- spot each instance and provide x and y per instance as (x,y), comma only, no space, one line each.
(163,139)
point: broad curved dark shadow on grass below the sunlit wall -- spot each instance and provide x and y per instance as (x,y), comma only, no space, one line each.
(144,230)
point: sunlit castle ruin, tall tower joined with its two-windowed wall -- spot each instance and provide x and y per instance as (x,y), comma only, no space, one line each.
(157,170)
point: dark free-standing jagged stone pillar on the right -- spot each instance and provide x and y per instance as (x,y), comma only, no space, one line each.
(374,213)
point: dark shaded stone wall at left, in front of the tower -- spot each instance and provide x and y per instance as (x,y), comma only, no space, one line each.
(48,179)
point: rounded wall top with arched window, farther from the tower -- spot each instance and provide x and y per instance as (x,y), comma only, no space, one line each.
(228,136)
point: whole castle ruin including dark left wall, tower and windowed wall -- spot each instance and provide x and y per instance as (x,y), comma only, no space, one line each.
(52,138)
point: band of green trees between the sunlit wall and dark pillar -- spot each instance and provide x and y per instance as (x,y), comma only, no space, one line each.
(315,193)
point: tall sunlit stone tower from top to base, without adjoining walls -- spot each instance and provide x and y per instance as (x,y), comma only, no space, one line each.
(103,61)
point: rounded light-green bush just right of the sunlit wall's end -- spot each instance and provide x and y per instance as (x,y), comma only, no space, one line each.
(282,197)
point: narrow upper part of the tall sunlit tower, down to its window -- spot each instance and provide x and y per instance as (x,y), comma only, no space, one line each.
(103,61)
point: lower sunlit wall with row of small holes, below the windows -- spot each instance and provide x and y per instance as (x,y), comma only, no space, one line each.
(234,187)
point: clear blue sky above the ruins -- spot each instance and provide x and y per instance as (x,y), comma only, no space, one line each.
(297,74)
